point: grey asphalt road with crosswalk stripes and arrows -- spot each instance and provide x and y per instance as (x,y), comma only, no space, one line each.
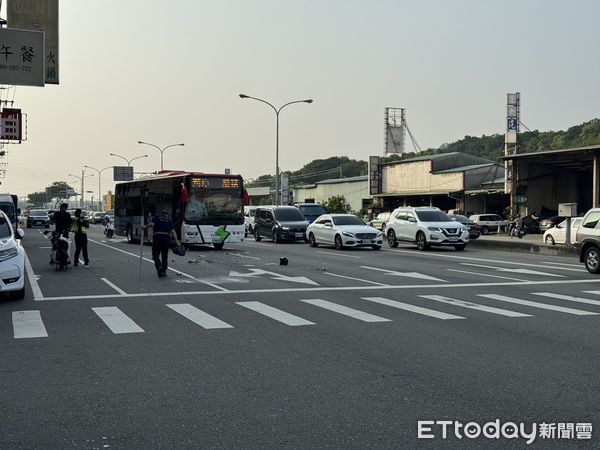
(340,349)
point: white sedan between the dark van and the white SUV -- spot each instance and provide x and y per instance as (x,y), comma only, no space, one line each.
(343,230)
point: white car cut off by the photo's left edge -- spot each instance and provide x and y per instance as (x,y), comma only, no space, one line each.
(12,259)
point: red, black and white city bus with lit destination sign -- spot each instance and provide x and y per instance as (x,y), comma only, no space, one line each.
(206,208)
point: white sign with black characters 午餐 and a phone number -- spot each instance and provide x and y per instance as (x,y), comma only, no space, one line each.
(21,57)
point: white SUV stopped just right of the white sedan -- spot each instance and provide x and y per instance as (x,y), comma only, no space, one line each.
(425,226)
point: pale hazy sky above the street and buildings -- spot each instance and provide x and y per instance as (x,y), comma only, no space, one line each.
(170,72)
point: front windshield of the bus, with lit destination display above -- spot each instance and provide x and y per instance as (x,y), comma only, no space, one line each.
(214,200)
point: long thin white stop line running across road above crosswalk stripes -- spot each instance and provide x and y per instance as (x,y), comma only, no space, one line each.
(288,290)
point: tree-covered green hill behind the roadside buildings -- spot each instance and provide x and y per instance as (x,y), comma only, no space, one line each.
(489,147)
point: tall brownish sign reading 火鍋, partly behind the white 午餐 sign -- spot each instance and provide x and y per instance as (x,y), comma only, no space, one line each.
(38,15)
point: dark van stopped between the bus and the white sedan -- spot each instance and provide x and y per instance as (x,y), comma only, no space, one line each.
(280,223)
